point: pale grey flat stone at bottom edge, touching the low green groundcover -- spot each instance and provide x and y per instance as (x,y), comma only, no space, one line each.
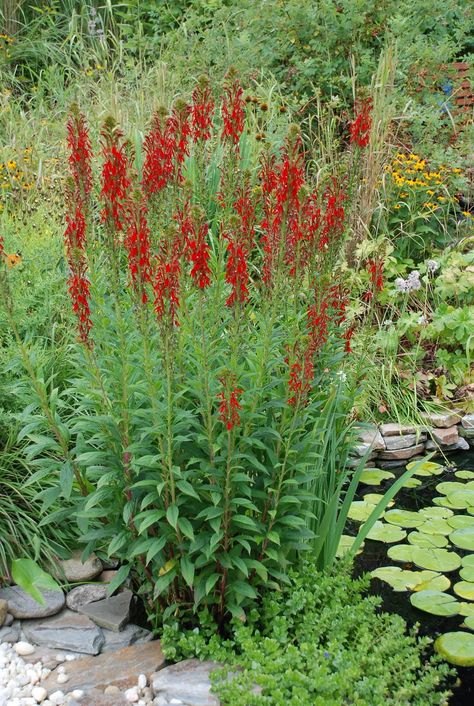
(186,681)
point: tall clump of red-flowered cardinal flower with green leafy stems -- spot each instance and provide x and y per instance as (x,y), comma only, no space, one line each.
(204,438)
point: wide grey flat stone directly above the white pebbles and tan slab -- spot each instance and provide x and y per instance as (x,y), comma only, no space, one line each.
(68,631)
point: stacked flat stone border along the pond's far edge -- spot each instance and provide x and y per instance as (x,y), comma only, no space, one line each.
(390,445)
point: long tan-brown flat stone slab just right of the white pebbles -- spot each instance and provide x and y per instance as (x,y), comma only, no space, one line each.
(119,668)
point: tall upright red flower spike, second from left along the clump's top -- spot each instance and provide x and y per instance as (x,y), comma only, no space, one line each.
(115,179)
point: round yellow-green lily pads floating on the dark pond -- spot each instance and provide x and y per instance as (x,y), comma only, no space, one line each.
(435,545)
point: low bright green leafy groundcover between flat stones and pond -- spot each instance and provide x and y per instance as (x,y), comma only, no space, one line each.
(321,641)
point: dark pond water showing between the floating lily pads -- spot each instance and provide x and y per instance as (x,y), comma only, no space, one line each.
(374,555)
